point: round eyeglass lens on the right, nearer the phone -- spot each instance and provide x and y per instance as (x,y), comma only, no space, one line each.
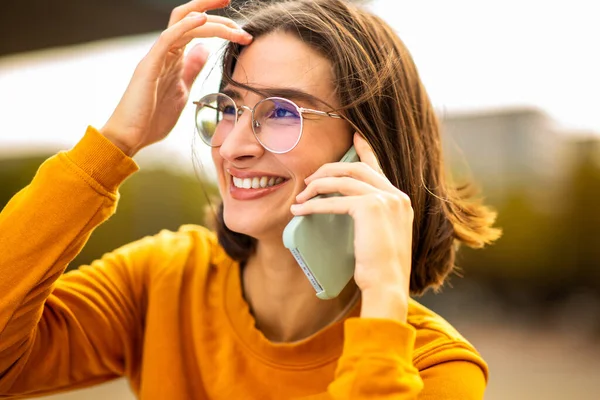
(277,124)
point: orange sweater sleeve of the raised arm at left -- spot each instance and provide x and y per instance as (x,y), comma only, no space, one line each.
(64,331)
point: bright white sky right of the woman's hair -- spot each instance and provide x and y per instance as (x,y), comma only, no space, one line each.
(480,54)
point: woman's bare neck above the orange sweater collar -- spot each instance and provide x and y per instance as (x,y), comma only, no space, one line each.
(282,299)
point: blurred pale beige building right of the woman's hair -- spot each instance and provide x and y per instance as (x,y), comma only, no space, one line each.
(505,150)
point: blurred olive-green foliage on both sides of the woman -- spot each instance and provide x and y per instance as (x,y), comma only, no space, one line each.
(540,252)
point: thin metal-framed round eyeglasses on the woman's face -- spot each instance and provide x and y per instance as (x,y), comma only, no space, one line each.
(277,123)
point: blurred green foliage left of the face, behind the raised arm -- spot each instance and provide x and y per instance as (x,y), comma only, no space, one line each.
(151,200)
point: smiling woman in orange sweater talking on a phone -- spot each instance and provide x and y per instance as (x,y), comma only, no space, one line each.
(197,315)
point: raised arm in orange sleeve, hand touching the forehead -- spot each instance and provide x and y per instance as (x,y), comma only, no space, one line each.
(56,331)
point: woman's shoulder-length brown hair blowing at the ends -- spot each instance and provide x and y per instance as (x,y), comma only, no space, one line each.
(381,94)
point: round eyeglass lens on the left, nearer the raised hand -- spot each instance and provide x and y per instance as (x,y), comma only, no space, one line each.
(215,118)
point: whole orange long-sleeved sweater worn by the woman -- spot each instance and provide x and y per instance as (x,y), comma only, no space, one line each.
(167,312)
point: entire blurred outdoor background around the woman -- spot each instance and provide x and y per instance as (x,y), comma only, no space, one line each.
(517,88)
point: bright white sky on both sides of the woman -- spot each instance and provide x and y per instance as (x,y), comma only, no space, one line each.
(471,55)
